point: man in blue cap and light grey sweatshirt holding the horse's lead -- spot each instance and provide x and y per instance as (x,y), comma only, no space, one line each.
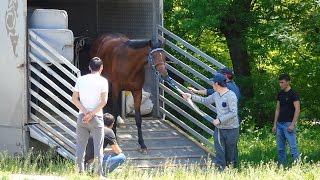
(226,133)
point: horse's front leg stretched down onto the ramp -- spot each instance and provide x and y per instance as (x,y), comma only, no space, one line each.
(137,95)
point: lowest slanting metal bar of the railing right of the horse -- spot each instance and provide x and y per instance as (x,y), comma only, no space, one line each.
(186,127)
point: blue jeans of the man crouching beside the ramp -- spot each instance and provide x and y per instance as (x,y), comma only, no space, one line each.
(112,161)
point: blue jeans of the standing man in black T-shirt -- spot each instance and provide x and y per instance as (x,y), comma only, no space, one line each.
(284,136)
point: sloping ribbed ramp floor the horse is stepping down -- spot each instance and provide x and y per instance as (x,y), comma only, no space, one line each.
(167,145)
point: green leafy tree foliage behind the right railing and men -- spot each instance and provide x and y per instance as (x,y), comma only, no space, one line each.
(280,36)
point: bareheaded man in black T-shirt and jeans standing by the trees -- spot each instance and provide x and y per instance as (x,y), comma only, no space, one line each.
(286,117)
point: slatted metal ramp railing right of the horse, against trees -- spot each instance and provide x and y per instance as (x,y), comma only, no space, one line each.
(168,97)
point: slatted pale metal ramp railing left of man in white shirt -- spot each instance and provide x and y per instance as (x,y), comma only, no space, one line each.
(51,86)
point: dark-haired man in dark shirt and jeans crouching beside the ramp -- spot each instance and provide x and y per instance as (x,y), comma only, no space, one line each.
(112,157)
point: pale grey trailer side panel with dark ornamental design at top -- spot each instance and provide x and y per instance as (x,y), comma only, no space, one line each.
(13,75)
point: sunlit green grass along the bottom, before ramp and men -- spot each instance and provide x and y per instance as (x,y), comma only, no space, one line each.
(257,148)
